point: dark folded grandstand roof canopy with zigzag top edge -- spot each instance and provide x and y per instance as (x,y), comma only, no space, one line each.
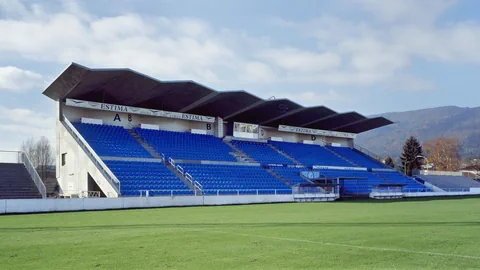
(130,88)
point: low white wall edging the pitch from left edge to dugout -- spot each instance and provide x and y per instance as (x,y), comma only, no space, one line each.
(65,205)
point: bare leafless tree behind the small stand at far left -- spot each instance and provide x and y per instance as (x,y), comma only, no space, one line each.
(40,154)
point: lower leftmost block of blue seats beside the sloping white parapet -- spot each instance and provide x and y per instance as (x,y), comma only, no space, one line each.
(141,176)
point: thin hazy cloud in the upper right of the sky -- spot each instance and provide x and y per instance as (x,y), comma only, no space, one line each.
(380,54)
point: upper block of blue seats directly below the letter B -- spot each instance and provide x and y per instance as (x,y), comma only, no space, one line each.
(187,146)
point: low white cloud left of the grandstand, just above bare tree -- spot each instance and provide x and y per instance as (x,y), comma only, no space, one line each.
(19,124)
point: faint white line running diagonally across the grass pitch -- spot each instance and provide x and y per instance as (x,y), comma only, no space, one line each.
(344,245)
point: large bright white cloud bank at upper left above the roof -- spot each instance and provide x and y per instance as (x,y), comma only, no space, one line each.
(167,48)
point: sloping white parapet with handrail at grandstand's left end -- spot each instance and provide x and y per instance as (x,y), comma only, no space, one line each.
(107,173)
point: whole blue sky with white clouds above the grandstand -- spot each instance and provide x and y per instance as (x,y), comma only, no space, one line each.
(372,56)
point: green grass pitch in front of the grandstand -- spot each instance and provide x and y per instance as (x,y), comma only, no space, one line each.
(435,234)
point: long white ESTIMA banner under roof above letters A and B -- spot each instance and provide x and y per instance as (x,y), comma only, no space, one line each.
(135,110)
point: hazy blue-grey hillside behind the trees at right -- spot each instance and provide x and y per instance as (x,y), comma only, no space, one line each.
(425,124)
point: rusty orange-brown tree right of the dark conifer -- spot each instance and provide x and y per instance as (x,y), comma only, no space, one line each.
(444,153)
